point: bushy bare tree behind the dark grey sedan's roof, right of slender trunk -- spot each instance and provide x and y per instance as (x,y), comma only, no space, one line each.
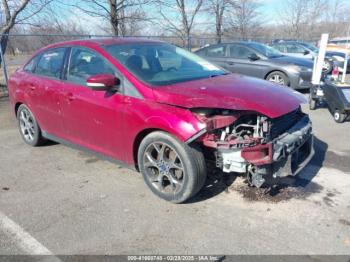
(245,17)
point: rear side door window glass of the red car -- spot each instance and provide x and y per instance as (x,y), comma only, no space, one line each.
(50,63)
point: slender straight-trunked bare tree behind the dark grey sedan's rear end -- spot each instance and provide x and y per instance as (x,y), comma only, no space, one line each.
(218,8)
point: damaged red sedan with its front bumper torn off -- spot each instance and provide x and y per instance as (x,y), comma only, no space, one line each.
(160,109)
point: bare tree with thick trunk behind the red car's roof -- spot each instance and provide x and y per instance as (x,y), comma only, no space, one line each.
(121,14)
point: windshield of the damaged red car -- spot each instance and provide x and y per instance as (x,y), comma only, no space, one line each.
(162,64)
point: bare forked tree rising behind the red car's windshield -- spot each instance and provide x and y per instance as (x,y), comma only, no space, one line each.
(179,16)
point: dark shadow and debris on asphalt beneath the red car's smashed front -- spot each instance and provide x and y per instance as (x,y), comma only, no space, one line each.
(274,190)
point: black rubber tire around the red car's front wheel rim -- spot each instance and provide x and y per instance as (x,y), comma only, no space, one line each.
(190,167)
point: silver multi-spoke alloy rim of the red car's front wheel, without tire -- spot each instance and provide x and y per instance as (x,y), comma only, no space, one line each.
(164,168)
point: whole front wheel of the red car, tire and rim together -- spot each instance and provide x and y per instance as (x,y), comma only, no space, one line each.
(173,170)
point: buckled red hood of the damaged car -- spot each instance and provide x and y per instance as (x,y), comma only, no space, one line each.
(231,91)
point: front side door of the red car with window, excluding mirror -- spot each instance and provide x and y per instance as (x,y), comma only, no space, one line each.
(91,118)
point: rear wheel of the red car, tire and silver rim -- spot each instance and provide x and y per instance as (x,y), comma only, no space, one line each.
(29,127)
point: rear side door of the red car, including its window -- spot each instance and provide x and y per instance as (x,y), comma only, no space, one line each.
(44,85)
